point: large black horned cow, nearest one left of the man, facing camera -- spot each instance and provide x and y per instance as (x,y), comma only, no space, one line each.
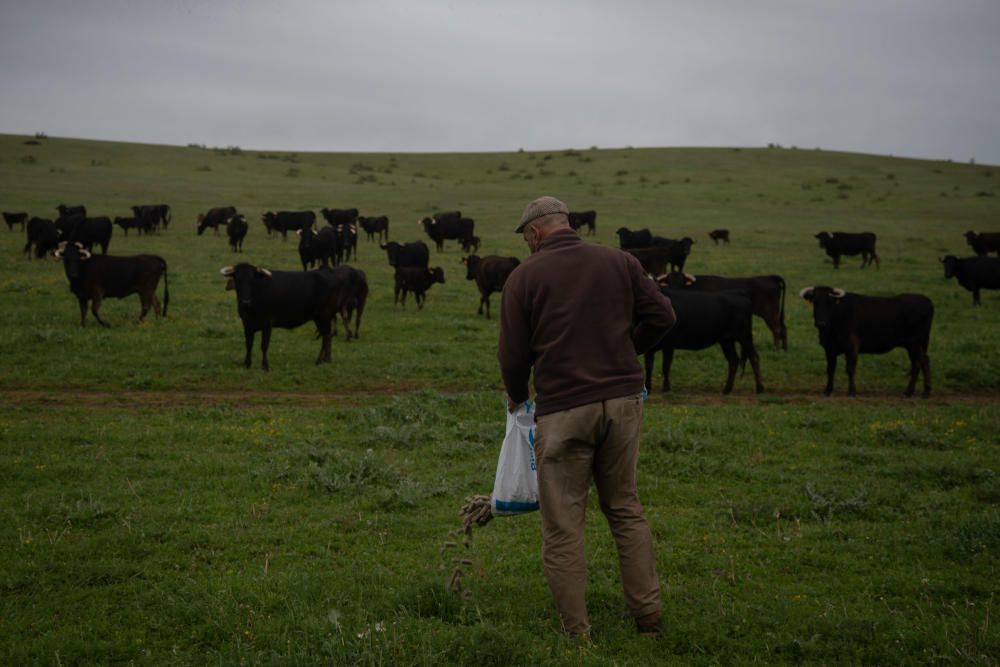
(284,299)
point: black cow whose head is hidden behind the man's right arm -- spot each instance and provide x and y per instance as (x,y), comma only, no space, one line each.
(704,320)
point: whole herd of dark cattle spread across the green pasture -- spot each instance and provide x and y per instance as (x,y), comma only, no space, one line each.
(711,310)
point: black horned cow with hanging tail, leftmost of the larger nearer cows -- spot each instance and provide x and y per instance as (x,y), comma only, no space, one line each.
(94,277)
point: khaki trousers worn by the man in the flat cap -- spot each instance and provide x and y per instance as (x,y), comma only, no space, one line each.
(599,442)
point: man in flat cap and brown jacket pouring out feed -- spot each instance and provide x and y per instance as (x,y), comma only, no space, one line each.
(579,314)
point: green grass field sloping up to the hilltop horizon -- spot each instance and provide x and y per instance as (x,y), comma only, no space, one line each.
(164,505)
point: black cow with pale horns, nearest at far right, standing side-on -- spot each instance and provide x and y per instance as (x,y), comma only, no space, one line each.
(853,324)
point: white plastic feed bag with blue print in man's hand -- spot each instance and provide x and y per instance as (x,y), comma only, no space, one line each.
(515,490)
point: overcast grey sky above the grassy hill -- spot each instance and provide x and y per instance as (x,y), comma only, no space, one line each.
(913,78)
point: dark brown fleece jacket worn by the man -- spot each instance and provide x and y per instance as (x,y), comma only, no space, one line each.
(579,314)
